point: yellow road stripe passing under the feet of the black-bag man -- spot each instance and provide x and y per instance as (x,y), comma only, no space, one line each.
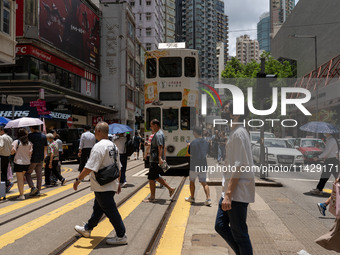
(85,246)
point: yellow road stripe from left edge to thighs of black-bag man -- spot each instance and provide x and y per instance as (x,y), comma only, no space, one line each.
(17,233)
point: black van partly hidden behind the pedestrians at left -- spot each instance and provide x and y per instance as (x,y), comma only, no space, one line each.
(70,138)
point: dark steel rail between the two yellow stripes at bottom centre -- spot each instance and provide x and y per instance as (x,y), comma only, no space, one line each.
(153,244)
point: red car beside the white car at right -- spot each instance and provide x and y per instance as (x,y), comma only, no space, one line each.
(310,148)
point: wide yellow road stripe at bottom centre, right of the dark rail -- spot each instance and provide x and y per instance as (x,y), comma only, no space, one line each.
(172,239)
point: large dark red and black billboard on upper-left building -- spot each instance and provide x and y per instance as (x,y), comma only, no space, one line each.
(71,26)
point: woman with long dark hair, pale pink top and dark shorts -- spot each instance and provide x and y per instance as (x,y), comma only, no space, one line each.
(22,148)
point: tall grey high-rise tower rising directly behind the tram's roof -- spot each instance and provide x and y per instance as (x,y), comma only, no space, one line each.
(196,25)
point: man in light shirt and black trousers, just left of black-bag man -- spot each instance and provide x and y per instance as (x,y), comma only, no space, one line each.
(87,141)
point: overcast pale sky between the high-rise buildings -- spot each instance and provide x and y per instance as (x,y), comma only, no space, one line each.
(244,15)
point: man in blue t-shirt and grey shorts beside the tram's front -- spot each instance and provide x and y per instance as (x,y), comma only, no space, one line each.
(198,150)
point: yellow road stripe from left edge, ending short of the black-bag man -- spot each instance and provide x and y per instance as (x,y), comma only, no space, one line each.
(35,199)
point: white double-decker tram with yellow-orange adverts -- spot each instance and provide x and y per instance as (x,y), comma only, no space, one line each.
(171,96)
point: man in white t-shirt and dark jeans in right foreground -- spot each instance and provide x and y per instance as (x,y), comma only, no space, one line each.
(238,189)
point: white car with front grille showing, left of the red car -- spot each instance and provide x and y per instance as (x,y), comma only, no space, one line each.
(278,151)
